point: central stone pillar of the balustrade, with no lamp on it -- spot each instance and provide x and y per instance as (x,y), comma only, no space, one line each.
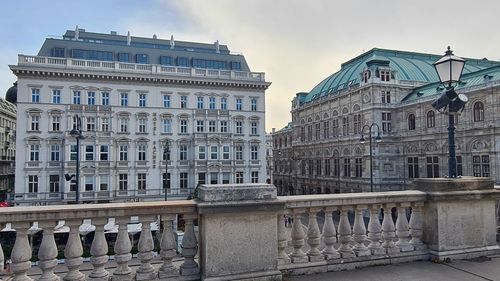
(238,232)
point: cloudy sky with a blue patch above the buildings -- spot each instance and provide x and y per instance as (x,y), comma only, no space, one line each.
(296,43)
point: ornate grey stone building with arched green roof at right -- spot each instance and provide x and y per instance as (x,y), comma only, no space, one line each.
(320,151)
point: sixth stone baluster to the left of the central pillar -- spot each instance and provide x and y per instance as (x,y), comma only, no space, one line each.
(73,252)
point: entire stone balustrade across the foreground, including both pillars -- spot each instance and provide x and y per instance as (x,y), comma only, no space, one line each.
(242,233)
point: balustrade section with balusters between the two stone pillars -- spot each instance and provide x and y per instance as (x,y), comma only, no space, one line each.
(365,228)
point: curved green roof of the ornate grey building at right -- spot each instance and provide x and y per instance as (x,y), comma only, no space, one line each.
(406,65)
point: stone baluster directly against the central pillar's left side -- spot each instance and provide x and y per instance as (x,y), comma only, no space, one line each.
(189,248)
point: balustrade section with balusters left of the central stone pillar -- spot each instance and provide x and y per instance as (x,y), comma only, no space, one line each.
(47,217)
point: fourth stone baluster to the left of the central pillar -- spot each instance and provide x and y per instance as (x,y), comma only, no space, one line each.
(122,251)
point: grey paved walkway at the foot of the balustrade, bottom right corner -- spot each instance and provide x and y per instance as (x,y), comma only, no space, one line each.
(480,269)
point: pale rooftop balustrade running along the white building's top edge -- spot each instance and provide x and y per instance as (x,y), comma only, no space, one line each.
(136,68)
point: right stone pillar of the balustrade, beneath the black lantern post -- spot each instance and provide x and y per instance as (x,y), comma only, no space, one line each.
(459,216)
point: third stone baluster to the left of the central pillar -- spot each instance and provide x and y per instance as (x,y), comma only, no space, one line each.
(146,271)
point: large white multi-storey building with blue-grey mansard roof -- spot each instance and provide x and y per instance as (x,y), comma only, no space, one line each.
(133,95)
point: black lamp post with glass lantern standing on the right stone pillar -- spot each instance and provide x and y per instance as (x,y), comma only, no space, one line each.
(449,69)
